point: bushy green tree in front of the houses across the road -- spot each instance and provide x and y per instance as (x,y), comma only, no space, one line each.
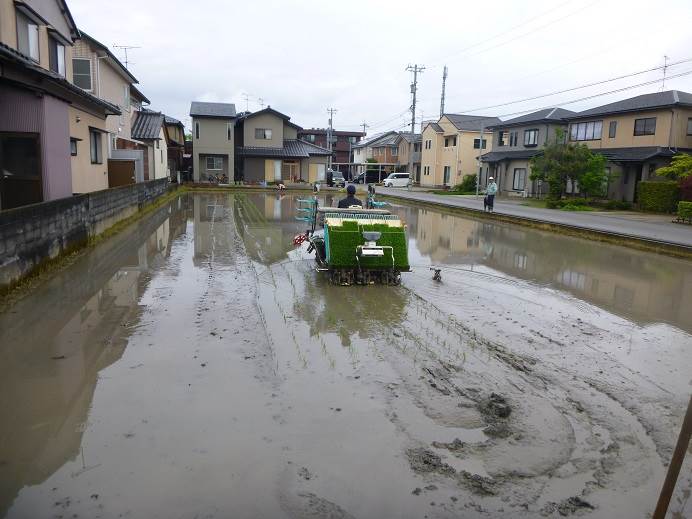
(562,161)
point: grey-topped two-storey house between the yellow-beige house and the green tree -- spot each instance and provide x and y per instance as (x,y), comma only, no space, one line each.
(514,143)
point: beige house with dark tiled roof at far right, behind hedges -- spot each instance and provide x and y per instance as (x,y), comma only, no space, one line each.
(637,136)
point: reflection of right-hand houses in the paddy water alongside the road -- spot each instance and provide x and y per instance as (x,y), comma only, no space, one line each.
(636,285)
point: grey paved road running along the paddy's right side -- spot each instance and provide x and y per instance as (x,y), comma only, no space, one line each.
(630,224)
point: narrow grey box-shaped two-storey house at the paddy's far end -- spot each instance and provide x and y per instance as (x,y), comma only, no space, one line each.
(213,130)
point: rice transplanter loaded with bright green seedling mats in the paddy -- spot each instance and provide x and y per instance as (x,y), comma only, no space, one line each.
(355,245)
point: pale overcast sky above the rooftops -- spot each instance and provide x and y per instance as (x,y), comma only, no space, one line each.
(303,57)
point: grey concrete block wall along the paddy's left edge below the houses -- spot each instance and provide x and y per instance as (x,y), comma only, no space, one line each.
(35,233)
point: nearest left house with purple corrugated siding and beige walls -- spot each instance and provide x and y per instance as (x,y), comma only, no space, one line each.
(48,126)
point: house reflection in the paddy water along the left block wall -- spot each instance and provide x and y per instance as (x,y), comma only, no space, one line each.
(55,344)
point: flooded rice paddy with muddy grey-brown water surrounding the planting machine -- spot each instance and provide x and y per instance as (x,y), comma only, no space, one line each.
(197,366)
